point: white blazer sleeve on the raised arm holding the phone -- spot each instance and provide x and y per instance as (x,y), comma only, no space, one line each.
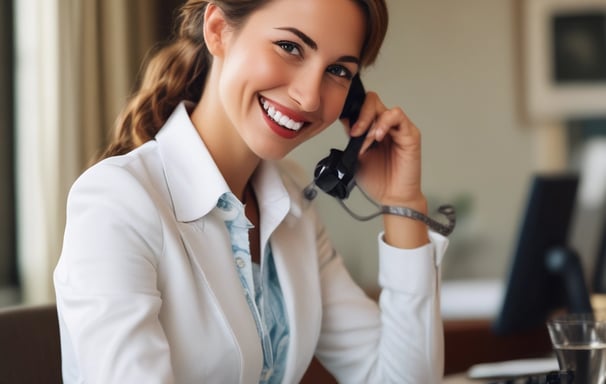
(400,341)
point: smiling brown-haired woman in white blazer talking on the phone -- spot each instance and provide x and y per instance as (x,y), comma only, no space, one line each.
(190,253)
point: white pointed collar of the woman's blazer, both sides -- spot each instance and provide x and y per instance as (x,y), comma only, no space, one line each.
(195,183)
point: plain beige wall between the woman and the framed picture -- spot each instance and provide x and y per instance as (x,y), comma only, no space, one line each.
(452,66)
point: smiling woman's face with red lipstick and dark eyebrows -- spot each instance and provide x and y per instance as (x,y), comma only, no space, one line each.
(285,74)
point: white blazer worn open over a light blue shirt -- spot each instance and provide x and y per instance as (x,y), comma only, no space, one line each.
(147,290)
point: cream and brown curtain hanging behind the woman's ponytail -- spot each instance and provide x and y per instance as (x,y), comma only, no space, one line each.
(77,62)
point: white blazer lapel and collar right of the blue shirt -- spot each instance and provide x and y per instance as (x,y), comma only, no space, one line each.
(293,245)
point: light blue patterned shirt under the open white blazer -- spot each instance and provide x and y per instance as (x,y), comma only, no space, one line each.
(261,288)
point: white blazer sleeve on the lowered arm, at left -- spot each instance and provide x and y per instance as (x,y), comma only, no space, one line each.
(105,282)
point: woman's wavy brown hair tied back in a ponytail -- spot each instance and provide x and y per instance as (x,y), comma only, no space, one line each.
(177,71)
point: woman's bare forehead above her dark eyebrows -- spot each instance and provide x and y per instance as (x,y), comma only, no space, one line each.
(332,24)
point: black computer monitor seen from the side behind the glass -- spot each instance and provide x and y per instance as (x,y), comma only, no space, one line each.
(545,273)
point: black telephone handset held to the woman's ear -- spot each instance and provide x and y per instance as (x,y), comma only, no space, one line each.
(335,173)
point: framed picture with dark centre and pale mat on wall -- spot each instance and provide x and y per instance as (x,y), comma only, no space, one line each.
(564,59)
